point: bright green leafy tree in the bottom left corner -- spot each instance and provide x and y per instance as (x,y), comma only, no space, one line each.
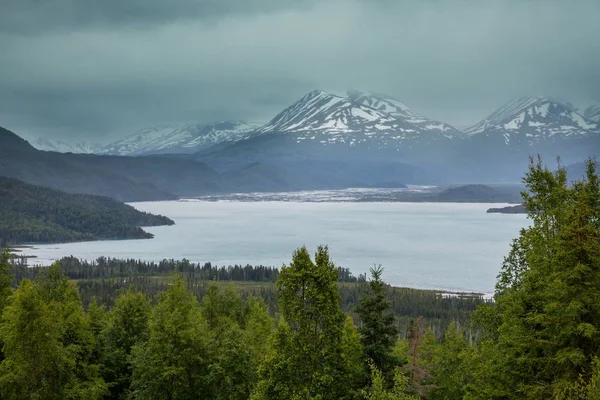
(48,344)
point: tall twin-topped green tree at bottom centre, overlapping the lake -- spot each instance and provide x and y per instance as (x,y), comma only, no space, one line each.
(309,342)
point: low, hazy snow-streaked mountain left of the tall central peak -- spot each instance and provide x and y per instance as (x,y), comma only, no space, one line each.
(186,139)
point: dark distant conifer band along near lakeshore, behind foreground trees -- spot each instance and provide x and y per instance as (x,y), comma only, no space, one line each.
(105,278)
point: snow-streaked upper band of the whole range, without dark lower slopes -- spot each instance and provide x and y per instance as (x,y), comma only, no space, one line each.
(371,122)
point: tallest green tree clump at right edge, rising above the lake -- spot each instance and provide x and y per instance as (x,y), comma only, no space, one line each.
(547,310)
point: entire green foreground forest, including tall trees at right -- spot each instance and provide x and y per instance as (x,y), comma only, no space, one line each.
(538,339)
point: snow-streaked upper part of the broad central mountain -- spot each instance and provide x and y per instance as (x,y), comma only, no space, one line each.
(365,119)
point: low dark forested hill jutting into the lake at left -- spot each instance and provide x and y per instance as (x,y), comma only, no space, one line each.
(34,214)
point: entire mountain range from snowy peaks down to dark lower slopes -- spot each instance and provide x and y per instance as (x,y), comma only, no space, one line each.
(322,141)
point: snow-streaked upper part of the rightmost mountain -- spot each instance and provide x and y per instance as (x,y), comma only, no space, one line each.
(529,121)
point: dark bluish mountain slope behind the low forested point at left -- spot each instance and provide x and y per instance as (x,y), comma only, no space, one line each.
(123,178)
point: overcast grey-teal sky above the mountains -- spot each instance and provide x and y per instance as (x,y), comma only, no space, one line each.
(99,70)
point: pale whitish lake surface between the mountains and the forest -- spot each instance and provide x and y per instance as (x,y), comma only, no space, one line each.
(447,246)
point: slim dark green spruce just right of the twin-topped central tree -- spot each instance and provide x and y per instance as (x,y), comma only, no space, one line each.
(378,329)
